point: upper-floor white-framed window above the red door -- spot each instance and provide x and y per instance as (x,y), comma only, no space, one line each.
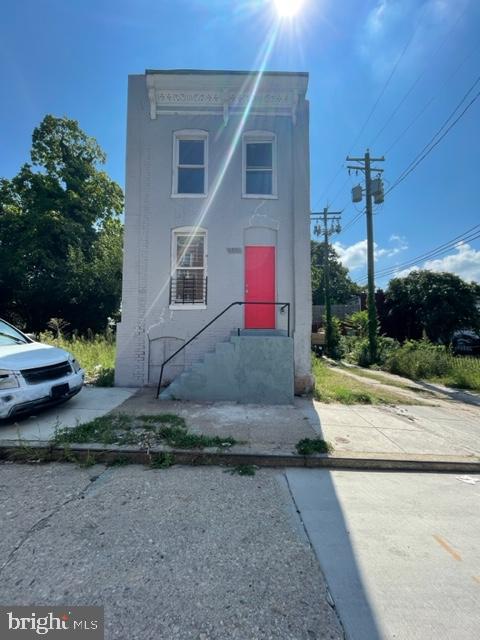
(259,165)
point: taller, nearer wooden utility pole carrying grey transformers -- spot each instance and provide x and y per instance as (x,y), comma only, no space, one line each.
(373,188)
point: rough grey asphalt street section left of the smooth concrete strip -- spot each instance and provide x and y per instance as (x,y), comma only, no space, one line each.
(175,554)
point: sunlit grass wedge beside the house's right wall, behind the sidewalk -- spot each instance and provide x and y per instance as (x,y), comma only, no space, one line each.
(332,386)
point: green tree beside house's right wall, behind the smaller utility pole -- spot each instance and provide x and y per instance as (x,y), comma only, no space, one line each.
(342,288)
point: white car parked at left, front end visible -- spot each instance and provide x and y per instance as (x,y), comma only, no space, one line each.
(33,374)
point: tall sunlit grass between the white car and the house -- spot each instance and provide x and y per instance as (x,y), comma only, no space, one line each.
(96,355)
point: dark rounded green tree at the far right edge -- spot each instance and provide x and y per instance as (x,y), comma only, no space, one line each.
(432,304)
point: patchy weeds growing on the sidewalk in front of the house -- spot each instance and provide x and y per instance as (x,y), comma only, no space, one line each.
(144,431)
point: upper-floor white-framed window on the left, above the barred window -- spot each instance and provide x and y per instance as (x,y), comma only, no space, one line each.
(190,163)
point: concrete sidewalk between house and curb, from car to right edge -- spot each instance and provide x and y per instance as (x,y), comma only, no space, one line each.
(368,436)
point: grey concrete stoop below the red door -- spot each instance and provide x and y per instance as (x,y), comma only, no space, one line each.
(249,368)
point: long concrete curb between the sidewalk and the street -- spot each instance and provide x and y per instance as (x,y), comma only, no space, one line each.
(31,450)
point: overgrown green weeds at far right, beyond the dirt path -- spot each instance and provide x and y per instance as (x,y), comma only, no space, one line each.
(421,360)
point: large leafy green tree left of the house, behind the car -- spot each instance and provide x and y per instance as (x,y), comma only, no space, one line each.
(60,237)
